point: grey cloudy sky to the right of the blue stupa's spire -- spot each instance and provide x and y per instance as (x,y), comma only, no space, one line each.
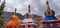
(55,4)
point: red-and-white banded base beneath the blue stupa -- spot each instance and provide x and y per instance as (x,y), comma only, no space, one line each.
(51,24)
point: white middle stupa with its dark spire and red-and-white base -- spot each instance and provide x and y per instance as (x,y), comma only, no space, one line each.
(28,22)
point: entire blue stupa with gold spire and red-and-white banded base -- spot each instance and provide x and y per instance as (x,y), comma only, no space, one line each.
(50,20)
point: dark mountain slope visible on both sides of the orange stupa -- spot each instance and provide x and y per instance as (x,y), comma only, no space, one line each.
(6,15)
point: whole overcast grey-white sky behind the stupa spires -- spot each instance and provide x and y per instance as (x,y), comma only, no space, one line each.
(37,6)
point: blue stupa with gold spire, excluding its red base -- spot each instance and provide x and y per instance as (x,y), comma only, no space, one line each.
(49,14)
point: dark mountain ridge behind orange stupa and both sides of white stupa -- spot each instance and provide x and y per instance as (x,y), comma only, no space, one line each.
(6,16)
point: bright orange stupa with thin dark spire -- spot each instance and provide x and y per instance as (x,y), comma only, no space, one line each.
(13,21)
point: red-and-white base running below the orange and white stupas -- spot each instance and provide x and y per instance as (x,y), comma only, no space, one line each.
(22,25)
